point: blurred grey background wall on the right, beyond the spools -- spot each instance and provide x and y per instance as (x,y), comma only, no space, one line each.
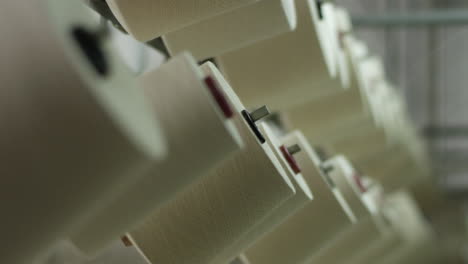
(428,61)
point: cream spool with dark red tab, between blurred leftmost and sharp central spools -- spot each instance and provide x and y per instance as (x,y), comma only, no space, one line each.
(200,135)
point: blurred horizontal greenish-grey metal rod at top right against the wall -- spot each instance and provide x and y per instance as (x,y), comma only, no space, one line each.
(416,19)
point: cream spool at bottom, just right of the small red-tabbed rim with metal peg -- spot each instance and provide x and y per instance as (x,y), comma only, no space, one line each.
(305,232)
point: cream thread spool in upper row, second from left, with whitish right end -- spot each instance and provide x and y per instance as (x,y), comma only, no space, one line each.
(236,29)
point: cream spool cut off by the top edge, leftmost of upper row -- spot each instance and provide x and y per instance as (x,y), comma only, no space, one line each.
(148,19)
